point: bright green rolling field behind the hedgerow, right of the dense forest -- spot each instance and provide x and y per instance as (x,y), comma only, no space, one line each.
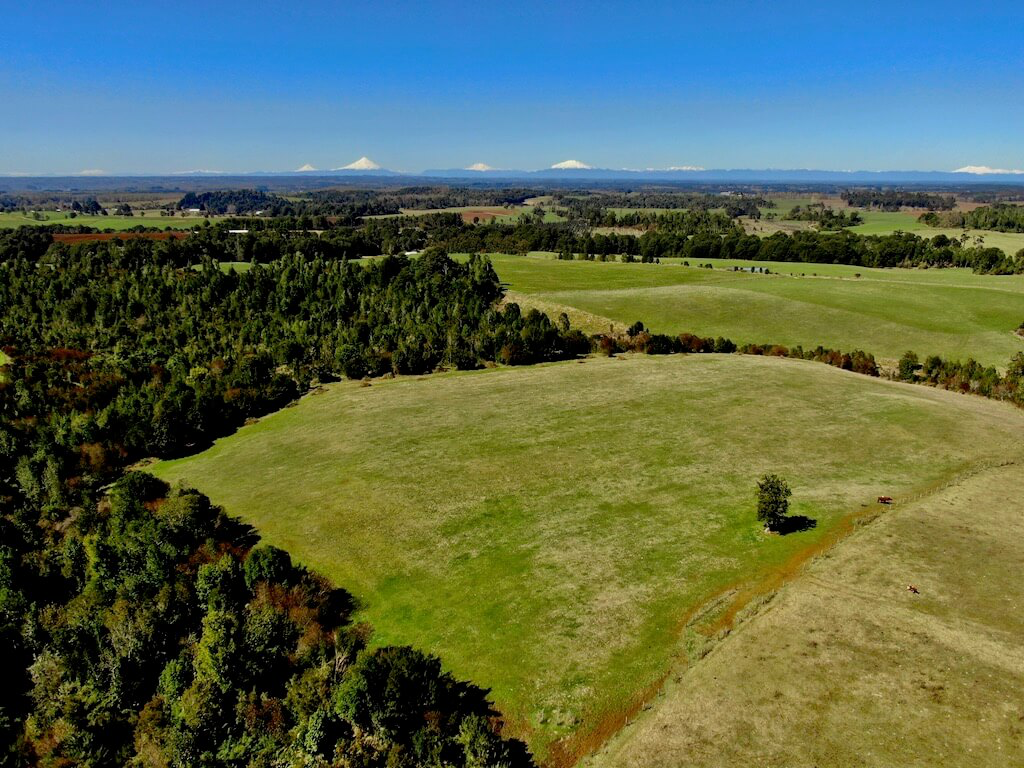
(951,313)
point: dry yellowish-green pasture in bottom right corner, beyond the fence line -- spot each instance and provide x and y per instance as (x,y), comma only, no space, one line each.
(847,668)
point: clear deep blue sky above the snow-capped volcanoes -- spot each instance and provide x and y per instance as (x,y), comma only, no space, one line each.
(165,88)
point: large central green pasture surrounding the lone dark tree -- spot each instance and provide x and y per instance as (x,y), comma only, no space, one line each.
(551,532)
